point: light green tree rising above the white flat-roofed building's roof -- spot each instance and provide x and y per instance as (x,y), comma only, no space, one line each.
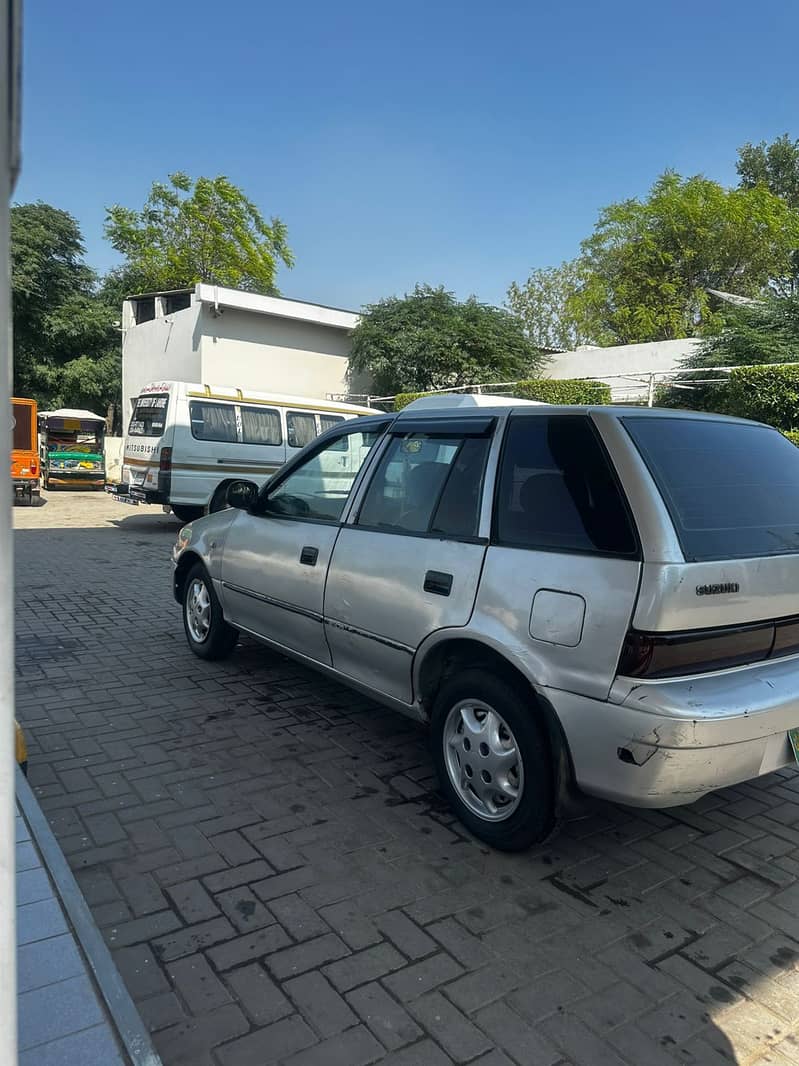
(198,231)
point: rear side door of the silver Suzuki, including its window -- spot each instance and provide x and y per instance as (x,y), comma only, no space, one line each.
(411,562)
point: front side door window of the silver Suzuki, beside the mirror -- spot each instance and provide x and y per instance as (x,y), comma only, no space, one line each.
(319,489)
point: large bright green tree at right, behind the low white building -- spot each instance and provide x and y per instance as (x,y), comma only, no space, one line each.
(646,270)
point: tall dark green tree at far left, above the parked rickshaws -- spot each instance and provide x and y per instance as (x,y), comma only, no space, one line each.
(67,350)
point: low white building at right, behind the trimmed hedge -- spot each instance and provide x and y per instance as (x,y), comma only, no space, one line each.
(629,369)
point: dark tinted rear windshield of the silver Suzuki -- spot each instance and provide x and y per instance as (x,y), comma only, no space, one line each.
(732,490)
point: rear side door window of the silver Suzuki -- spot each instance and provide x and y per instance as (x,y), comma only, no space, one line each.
(428,486)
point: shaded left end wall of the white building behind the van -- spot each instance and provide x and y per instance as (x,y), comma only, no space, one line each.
(165,349)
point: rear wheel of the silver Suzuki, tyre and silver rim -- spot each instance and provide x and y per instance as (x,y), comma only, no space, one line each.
(494,761)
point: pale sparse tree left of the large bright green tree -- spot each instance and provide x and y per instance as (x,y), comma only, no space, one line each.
(545,305)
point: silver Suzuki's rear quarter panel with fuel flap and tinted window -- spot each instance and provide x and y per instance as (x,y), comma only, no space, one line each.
(562,573)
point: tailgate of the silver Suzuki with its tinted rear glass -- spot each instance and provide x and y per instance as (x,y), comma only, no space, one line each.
(731,491)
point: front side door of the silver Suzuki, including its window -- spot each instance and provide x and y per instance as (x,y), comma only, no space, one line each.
(275,561)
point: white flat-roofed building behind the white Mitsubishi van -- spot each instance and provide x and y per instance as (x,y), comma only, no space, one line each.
(221,336)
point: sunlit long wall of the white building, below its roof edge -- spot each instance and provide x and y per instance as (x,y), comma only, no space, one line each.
(271,354)
